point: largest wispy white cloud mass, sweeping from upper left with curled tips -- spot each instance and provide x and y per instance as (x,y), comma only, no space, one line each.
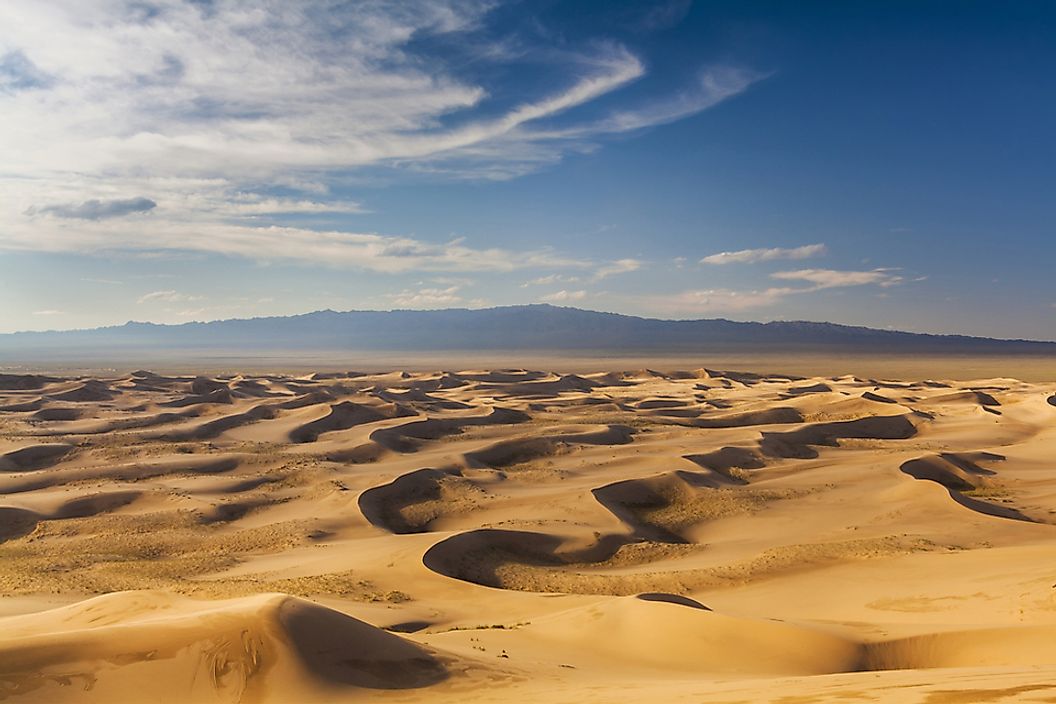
(196,112)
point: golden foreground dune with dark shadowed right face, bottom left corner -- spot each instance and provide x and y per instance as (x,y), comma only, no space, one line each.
(268,649)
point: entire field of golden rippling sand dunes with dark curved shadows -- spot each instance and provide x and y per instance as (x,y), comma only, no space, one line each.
(526,537)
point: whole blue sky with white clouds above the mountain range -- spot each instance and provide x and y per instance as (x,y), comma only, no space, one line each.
(887,164)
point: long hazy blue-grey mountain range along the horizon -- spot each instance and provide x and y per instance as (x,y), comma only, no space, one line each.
(525,328)
